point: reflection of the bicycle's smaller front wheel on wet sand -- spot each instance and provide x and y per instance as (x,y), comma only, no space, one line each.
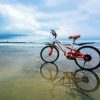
(49,71)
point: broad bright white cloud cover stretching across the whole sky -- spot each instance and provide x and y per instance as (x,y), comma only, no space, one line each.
(24,18)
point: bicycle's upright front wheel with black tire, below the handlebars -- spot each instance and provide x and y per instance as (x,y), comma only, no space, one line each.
(45,54)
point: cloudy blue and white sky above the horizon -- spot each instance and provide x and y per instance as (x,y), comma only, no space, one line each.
(32,20)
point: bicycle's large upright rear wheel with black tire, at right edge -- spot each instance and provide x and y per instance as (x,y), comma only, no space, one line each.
(94,61)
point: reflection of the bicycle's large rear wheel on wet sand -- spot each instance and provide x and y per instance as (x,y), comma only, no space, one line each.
(89,80)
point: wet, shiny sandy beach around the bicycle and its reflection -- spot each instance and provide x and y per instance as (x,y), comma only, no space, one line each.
(21,78)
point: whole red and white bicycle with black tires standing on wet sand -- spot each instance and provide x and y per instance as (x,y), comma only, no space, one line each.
(86,57)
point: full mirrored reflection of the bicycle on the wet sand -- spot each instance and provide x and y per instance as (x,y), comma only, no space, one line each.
(79,81)
